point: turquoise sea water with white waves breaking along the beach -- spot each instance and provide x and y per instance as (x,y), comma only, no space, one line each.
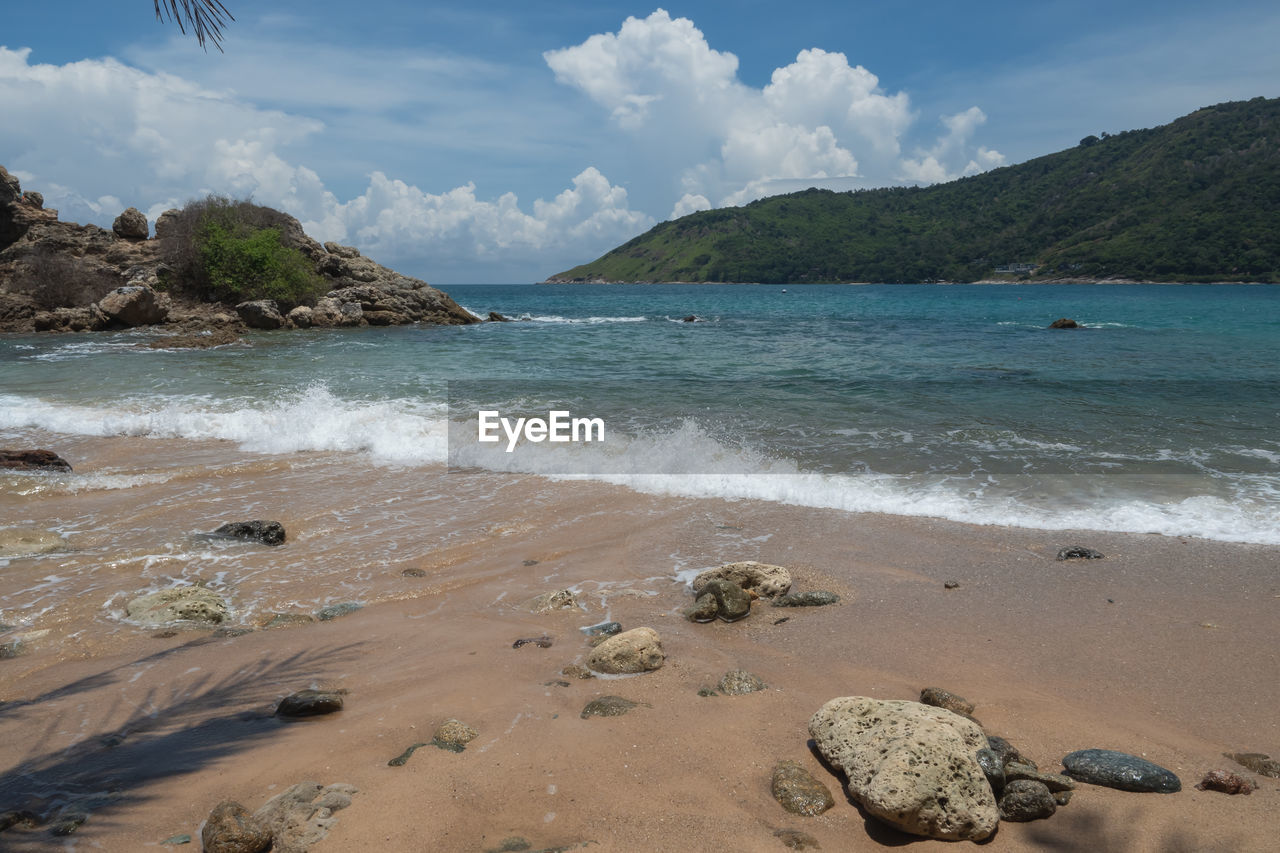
(953,402)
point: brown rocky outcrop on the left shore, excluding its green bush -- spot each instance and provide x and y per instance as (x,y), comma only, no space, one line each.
(58,276)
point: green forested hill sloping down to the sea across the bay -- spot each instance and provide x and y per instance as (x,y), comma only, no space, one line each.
(1197,200)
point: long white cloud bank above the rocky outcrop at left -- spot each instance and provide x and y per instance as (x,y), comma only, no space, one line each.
(81,131)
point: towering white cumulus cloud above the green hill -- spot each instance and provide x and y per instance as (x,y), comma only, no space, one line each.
(820,118)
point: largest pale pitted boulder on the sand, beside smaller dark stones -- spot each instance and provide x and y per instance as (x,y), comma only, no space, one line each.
(909,765)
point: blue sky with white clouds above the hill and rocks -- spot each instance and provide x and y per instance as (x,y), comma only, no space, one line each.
(495,143)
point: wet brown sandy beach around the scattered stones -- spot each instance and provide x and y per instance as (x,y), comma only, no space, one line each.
(1165,650)
